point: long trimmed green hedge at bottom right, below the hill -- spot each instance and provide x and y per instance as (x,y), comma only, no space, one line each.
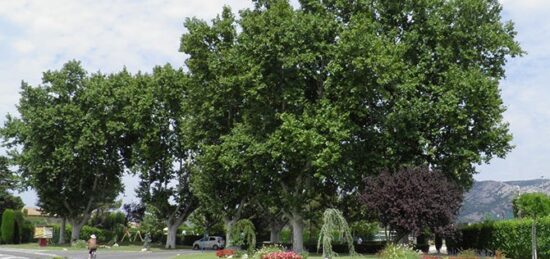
(513,237)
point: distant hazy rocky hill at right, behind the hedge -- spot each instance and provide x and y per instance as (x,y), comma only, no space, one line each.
(493,199)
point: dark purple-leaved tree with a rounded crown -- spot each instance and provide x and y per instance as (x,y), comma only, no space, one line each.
(413,199)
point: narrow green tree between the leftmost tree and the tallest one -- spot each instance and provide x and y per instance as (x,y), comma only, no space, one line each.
(159,152)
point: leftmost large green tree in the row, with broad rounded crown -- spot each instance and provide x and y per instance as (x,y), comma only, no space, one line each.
(66,142)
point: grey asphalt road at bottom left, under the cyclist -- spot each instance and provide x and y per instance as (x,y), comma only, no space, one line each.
(15,253)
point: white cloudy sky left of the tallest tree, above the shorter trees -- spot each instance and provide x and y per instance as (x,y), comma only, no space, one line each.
(36,36)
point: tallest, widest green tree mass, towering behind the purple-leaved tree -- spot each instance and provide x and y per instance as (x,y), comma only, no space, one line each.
(316,97)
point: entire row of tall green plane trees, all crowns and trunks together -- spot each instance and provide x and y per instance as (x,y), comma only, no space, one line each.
(281,111)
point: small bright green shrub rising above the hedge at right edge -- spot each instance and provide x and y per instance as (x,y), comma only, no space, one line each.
(532,205)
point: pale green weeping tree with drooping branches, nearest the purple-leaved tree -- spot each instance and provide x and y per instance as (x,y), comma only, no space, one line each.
(334,225)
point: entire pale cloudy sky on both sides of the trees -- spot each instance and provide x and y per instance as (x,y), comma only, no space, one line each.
(36,36)
